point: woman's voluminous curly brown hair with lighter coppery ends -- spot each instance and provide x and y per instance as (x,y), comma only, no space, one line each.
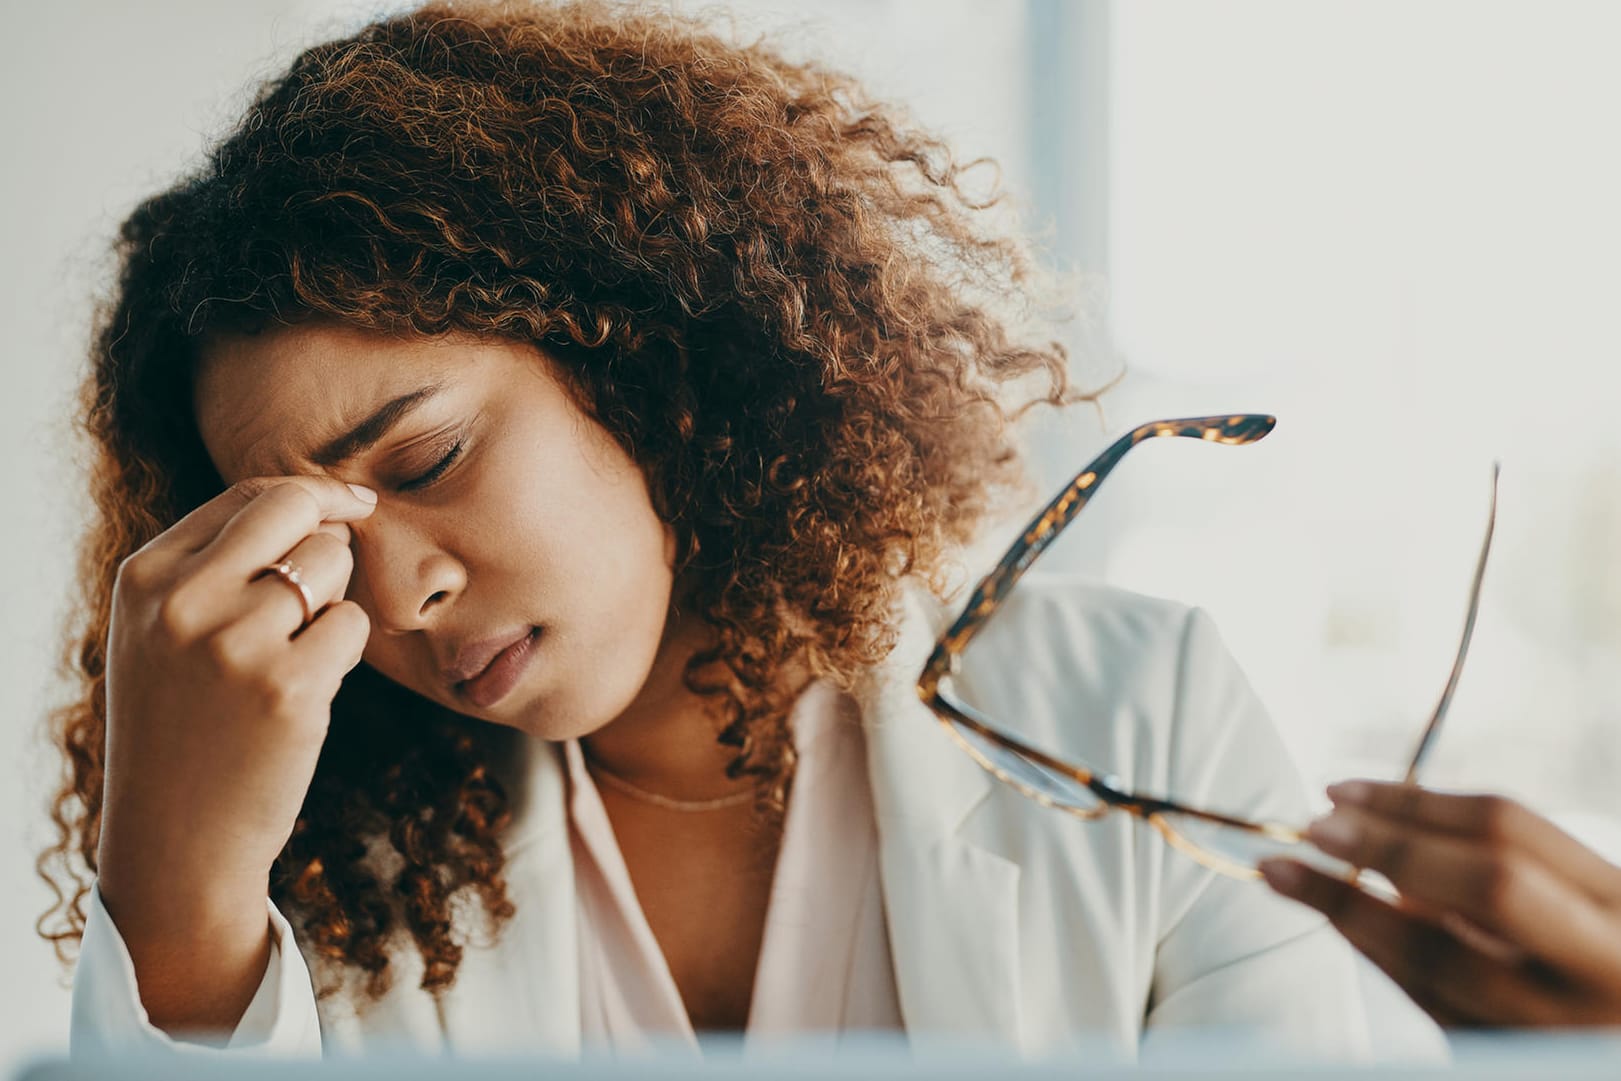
(777,296)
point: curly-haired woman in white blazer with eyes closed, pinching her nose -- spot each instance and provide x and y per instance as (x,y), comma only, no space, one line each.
(625,401)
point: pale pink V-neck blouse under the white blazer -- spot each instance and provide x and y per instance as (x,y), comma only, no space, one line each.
(826,959)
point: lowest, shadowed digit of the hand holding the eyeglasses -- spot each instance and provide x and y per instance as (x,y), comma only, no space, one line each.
(1452,981)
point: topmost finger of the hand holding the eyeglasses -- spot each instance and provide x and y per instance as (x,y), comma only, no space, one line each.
(1491,819)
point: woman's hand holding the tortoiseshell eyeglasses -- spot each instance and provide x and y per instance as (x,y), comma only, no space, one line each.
(1503,918)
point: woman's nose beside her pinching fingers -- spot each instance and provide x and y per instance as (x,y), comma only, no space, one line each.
(403,578)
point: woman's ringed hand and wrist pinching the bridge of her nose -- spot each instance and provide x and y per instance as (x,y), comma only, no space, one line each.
(218,704)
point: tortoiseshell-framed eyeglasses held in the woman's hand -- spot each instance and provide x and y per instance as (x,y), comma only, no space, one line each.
(1225,844)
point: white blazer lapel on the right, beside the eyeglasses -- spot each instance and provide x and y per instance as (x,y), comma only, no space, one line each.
(951,905)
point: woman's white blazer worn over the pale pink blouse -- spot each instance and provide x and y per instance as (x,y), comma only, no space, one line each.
(1009,923)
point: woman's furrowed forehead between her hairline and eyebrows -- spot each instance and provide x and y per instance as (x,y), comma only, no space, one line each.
(265,403)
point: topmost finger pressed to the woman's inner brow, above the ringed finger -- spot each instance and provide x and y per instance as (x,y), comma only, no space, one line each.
(278,519)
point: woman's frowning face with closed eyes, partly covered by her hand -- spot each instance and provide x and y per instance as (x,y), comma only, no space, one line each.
(515,568)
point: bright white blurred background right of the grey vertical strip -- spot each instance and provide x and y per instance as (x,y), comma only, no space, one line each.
(1393,223)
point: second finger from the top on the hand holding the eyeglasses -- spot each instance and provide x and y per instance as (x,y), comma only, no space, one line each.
(1505,892)
